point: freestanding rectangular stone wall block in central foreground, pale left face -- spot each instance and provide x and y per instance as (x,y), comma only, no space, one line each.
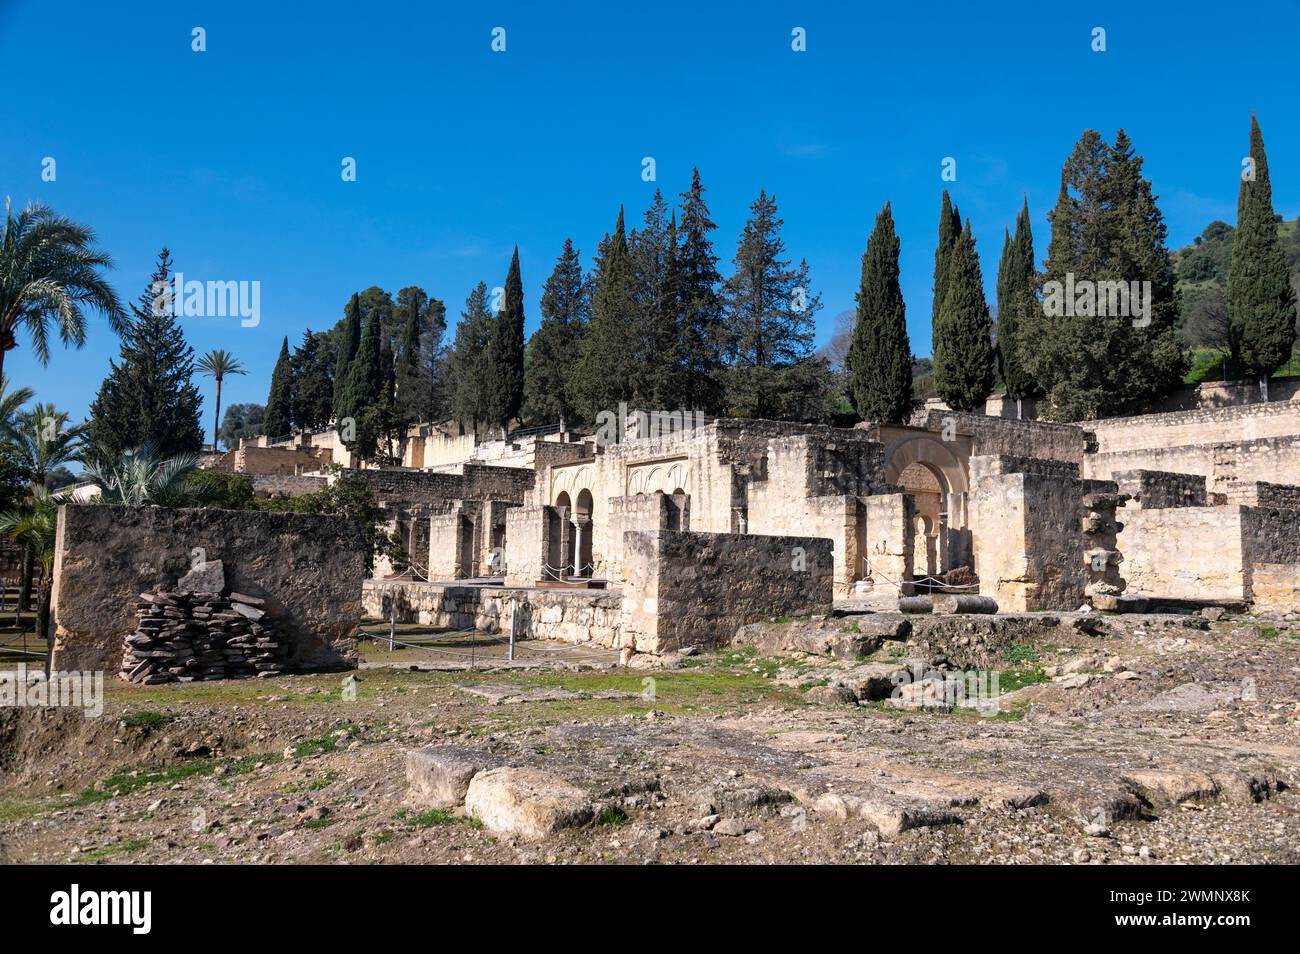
(697,589)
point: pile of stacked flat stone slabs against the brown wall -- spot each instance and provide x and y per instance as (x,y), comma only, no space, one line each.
(188,638)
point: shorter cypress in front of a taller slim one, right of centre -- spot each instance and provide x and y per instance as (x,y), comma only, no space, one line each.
(964,335)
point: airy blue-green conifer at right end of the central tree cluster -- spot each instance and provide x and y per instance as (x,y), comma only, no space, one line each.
(769,328)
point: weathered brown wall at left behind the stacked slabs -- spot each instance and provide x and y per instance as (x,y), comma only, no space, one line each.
(309,570)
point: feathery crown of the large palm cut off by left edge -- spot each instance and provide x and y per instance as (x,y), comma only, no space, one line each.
(50,270)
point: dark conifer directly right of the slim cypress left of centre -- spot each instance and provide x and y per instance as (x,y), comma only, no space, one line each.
(549,384)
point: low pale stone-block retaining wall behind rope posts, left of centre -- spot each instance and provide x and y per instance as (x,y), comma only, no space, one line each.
(577,617)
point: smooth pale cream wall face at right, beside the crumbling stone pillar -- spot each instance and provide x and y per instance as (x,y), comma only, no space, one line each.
(1186,553)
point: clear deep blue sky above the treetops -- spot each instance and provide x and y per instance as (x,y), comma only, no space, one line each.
(232,157)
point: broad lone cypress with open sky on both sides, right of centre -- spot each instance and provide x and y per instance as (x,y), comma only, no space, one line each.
(879,359)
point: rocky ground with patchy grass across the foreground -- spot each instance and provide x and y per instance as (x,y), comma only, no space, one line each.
(1116,740)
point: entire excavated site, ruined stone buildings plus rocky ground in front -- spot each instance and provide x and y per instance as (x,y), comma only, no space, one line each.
(969,640)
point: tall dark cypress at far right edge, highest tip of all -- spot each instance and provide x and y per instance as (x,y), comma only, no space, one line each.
(1260,300)
